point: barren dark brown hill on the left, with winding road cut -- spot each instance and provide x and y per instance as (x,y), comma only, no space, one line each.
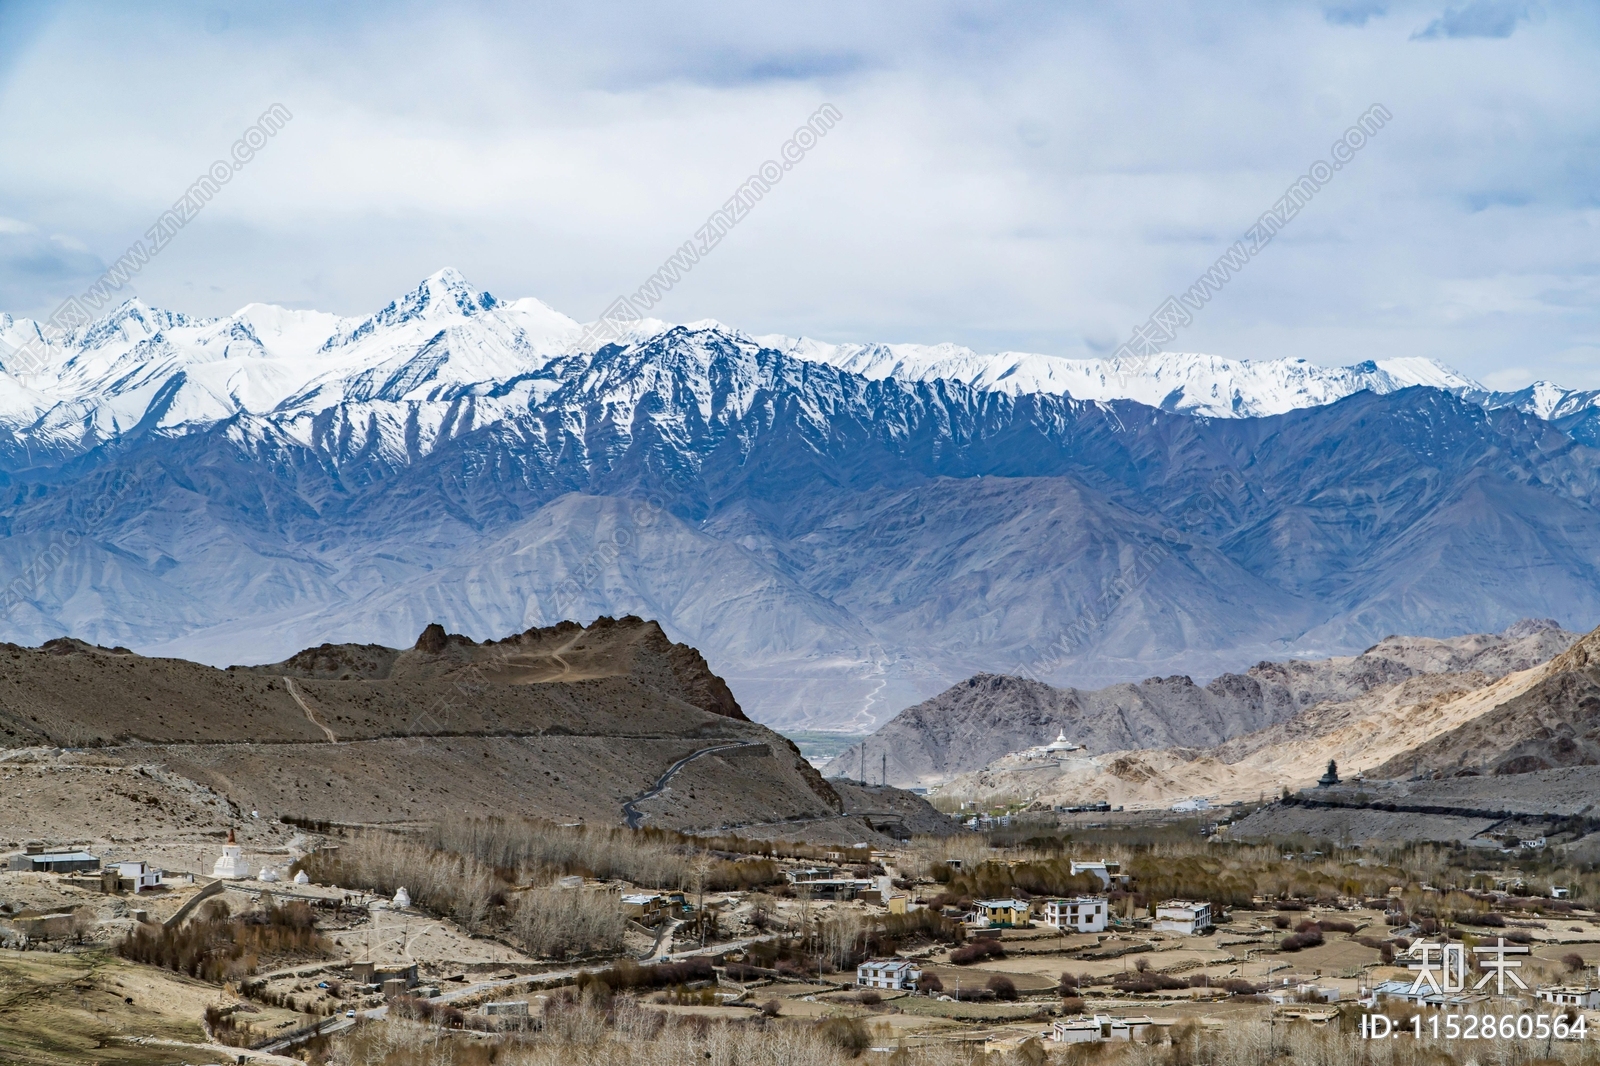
(567,723)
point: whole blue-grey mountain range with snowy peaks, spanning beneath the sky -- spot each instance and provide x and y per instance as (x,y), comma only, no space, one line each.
(842,531)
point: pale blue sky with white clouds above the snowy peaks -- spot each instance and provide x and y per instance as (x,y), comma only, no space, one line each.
(1007,177)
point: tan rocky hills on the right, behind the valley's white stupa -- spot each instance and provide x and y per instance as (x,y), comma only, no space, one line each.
(1482,711)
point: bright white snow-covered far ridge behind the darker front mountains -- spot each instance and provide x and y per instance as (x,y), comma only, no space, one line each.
(449,353)
